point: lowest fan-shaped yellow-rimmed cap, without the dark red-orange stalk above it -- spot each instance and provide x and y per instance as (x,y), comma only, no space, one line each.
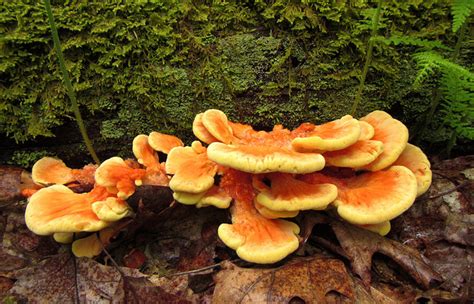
(258,239)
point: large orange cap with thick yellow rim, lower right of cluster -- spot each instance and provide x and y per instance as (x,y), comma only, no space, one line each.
(372,197)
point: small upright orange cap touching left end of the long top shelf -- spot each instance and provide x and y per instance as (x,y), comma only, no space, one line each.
(216,123)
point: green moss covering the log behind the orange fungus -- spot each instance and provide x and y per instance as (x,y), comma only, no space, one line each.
(143,66)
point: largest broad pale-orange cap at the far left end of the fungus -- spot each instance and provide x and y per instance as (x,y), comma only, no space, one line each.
(59,209)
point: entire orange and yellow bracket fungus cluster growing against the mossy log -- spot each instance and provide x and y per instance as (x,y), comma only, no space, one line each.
(363,169)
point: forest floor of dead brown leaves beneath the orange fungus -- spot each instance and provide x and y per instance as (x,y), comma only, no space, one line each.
(171,254)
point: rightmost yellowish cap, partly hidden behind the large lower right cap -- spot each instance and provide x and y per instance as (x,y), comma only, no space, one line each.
(415,160)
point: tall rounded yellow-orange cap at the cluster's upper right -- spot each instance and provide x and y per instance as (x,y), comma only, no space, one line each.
(392,133)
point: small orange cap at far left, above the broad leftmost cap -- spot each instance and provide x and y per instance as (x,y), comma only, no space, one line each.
(50,170)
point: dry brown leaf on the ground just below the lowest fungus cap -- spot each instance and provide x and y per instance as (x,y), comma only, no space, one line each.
(312,280)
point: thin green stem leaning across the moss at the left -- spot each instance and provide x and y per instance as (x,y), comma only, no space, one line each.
(67,82)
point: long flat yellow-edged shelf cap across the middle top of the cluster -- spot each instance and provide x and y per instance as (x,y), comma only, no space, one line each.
(263,158)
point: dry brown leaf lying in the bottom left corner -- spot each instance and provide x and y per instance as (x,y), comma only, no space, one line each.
(65,279)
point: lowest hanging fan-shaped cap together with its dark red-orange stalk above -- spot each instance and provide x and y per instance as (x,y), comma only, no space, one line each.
(254,237)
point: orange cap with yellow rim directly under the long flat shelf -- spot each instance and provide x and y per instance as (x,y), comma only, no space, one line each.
(289,194)
